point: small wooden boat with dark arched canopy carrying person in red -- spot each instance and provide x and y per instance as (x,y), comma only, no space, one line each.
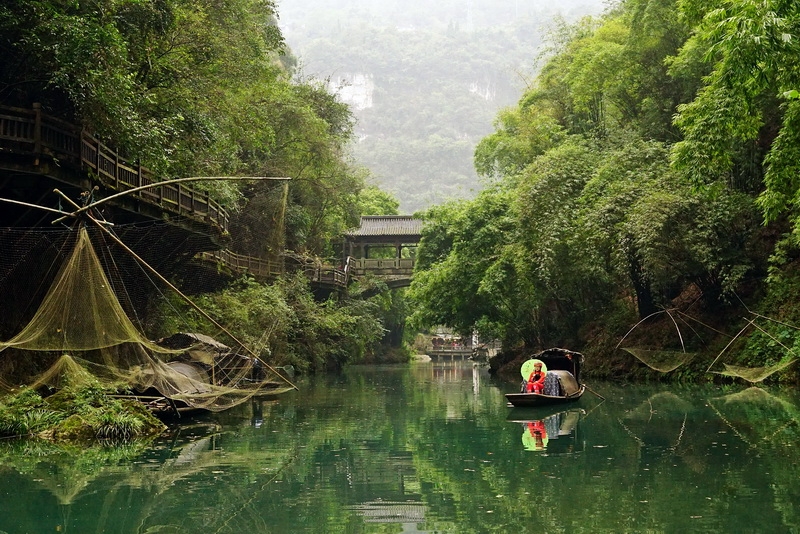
(561,385)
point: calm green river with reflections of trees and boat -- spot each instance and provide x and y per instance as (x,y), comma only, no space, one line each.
(430,447)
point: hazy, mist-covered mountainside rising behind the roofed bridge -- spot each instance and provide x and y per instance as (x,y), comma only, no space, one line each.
(424,80)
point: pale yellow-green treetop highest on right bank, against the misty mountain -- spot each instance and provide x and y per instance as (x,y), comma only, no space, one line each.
(576,86)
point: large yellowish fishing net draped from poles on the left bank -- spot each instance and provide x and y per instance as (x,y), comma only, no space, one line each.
(80,333)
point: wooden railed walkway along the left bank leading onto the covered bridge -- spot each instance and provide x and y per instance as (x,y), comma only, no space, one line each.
(33,143)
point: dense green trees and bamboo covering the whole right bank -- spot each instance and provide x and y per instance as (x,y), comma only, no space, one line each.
(650,174)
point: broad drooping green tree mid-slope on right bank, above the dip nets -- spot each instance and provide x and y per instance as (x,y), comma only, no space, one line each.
(657,235)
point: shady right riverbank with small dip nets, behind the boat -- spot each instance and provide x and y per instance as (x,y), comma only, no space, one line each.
(695,341)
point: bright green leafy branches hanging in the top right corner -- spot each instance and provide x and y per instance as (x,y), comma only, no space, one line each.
(741,127)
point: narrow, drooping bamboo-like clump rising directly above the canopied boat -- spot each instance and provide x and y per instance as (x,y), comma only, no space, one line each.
(562,283)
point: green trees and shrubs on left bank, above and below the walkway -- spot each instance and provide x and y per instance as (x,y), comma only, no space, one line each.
(208,89)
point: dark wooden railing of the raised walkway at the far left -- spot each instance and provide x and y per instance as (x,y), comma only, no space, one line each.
(38,134)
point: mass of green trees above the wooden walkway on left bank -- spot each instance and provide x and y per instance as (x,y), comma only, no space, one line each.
(191,89)
